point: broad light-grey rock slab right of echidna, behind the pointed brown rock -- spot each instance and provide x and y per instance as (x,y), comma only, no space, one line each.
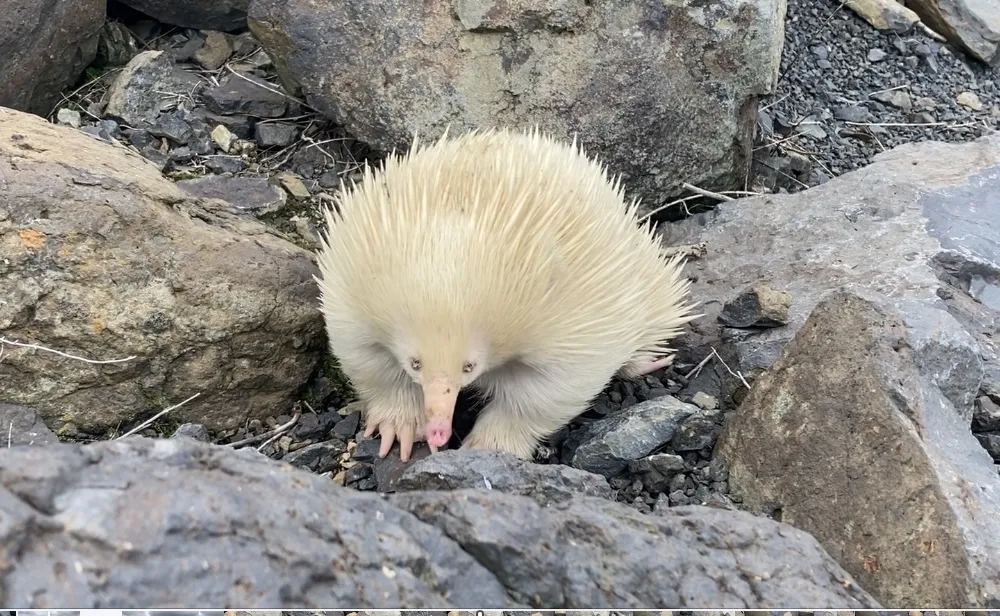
(901,227)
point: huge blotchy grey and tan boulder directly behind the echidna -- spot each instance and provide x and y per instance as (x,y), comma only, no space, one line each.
(664,92)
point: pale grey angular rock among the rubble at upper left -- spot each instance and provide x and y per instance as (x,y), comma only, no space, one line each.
(141,90)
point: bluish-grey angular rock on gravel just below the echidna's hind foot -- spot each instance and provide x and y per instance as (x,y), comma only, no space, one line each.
(608,445)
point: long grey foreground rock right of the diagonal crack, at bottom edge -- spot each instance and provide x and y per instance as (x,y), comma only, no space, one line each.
(588,552)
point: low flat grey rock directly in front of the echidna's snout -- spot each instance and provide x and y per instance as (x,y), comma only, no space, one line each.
(493,470)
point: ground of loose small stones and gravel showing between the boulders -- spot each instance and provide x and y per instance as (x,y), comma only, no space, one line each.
(846,92)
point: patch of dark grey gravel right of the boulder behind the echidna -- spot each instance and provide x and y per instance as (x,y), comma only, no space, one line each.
(845,88)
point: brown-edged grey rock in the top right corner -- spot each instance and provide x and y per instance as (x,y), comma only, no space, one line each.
(971,24)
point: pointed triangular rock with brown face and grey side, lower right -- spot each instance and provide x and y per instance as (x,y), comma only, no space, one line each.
(904,498)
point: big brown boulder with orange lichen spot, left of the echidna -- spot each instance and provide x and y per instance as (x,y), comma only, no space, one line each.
(103,258)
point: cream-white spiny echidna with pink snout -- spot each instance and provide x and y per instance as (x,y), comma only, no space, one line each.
(500,259)
